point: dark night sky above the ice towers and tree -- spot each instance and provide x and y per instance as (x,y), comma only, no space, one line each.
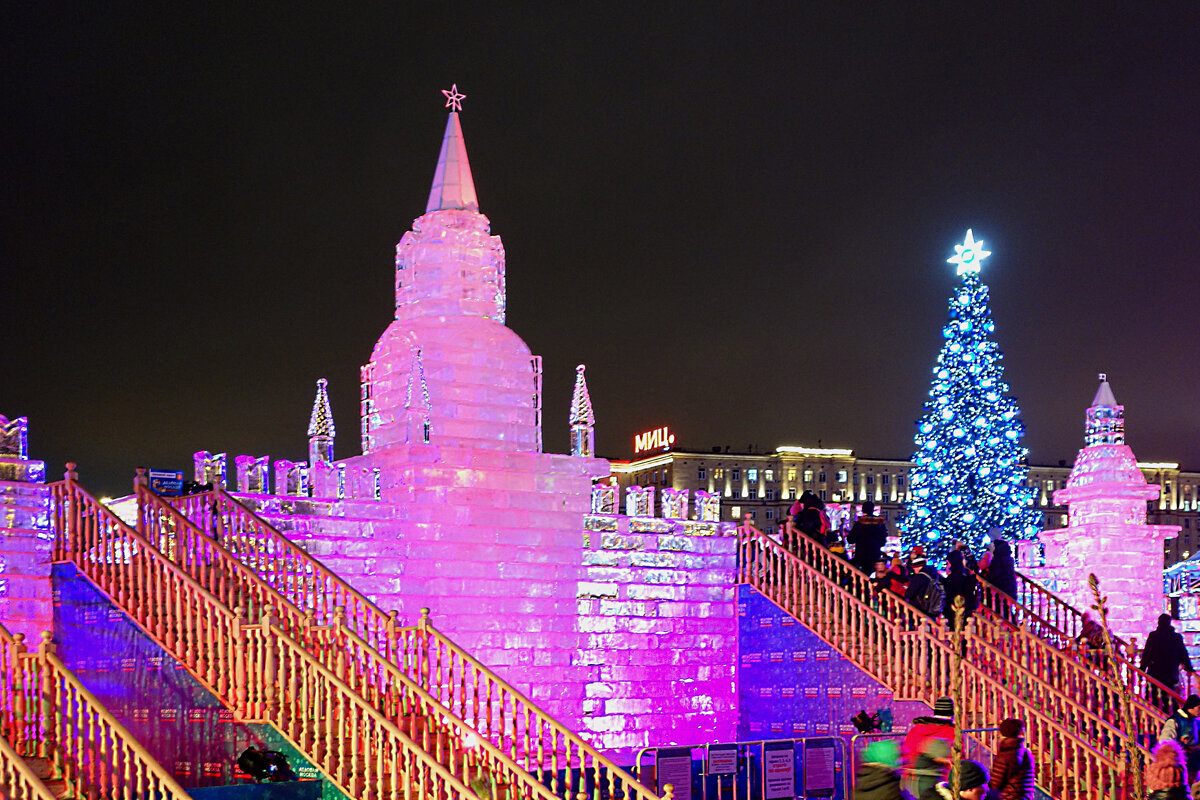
(736,215)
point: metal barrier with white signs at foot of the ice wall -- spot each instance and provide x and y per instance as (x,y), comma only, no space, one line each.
(771,769)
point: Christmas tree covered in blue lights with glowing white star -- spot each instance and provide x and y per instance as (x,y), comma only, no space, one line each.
(969,468)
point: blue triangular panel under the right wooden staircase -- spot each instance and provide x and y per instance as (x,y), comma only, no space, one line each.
(793,684)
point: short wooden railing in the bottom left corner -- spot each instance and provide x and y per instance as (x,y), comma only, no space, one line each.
(47,713)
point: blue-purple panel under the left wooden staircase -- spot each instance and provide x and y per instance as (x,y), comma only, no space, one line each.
(179,723)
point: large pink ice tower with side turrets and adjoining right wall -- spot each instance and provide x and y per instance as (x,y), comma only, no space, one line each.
(616,633)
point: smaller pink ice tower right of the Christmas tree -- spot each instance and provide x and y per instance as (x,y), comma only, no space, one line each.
(1108,534)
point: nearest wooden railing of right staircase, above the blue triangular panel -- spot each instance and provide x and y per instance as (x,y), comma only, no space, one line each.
(1081,754)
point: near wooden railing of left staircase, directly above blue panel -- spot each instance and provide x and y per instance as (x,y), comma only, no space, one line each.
(352,744)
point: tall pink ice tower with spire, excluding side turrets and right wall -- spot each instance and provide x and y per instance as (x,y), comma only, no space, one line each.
(482,527)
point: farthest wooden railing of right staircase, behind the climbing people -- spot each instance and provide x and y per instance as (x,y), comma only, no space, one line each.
(1145,690)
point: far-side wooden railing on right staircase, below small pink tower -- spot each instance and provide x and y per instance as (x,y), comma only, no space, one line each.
(1007,613)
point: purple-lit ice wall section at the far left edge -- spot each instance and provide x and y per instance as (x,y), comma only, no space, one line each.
(26,545)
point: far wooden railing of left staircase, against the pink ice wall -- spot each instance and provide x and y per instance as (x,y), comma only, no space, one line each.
(457,679)
